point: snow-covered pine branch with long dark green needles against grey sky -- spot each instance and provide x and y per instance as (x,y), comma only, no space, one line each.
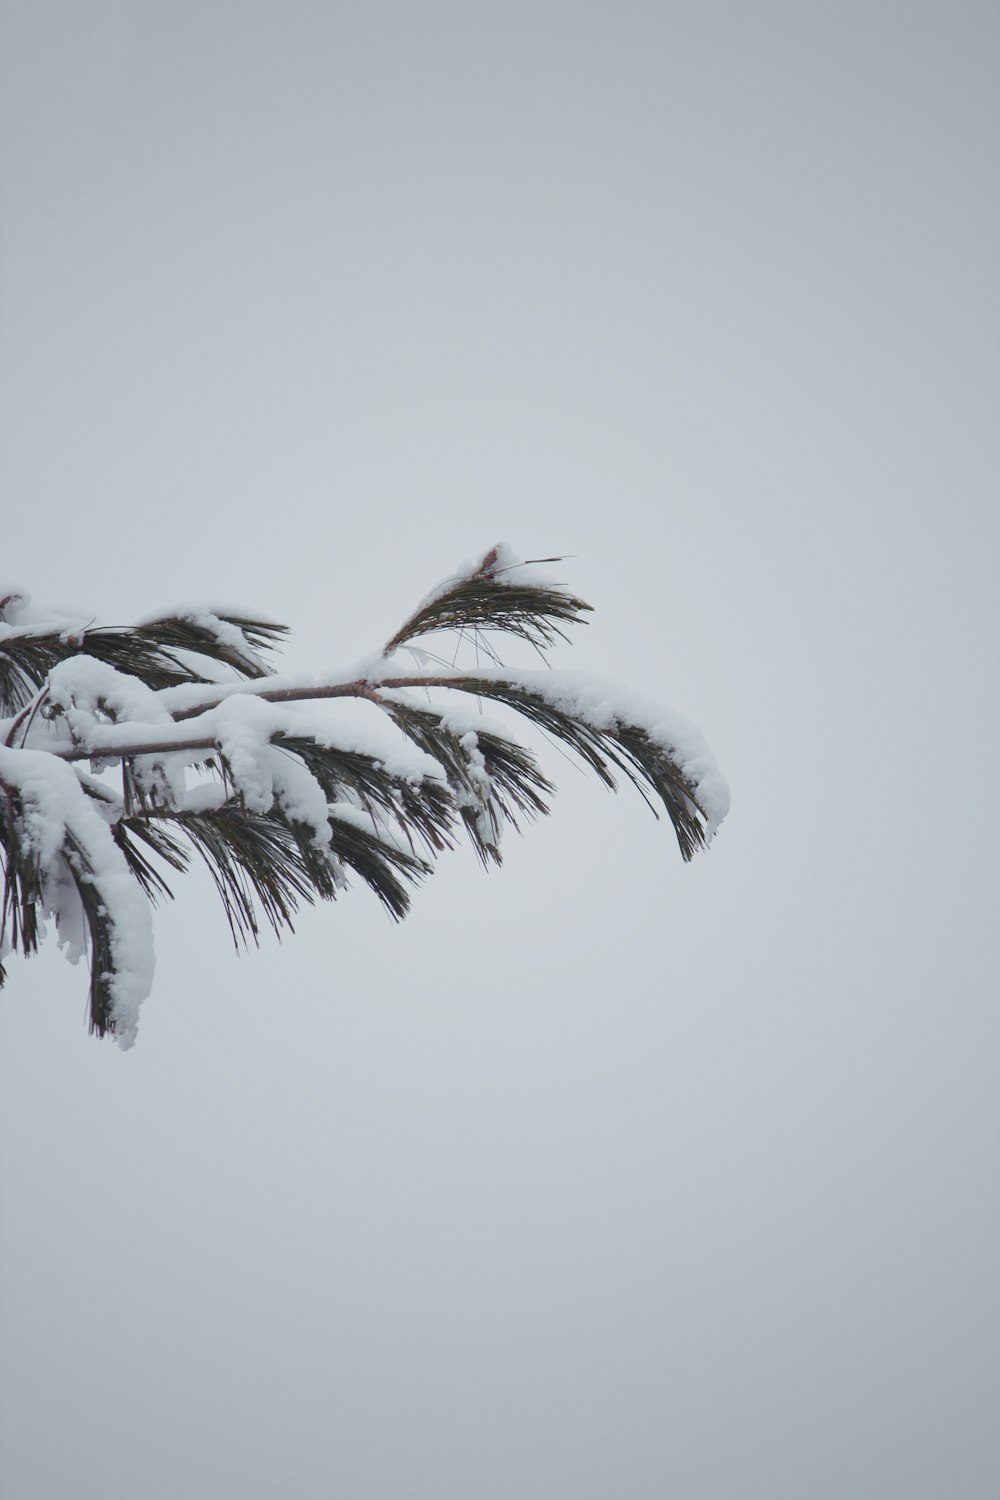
(124,751)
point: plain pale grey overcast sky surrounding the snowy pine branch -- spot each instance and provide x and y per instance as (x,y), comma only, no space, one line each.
(599,1177)
